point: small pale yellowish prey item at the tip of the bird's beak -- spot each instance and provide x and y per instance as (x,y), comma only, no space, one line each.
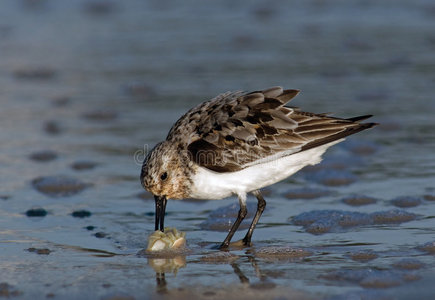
(170,239)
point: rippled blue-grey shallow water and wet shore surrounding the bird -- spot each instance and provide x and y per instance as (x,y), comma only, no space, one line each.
(86,87)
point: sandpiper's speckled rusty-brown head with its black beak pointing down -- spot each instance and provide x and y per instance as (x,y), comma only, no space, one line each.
(164,174)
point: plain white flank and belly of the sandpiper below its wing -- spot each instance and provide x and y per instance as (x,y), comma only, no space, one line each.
(208,184)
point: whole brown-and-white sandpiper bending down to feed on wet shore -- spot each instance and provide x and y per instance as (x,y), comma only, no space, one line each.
(238,143)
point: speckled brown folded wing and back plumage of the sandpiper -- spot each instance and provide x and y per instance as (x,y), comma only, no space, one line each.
(236,130)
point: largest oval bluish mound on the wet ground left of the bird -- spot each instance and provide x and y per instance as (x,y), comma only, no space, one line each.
(59,186)
